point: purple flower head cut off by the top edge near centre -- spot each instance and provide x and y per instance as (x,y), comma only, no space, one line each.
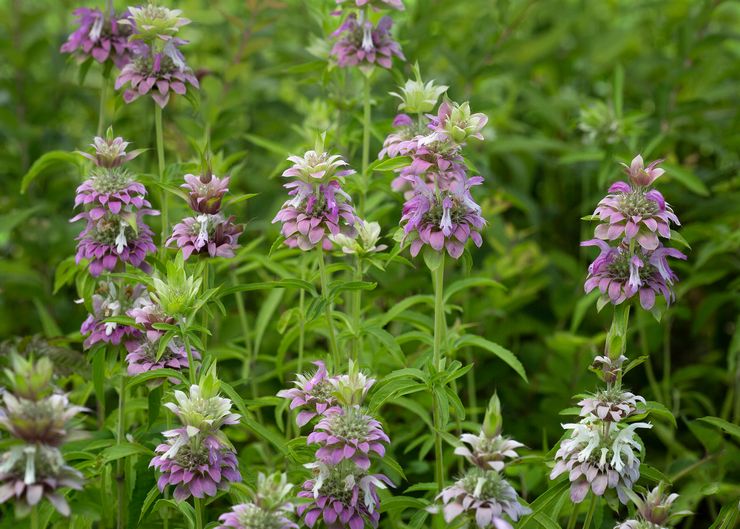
(358,42)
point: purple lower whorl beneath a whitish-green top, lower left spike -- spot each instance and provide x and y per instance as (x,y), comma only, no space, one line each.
(199,467)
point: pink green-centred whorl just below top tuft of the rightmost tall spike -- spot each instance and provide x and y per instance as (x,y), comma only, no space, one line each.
(634,213)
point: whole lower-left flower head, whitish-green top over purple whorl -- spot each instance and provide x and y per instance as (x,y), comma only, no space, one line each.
(197,458)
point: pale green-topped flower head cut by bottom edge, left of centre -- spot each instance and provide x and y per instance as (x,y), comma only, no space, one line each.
(269,508)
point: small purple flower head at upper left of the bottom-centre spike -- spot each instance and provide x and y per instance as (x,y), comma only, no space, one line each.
(312,393)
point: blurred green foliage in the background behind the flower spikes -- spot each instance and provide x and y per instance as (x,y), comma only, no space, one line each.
(572,87)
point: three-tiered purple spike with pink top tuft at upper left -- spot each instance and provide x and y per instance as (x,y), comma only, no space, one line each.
(115,206)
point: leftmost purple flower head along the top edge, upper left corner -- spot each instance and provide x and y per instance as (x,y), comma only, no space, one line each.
(102,37)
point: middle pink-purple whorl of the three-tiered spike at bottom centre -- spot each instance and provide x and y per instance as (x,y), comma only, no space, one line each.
(348,434)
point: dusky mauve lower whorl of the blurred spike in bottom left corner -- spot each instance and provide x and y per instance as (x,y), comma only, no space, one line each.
(30,473)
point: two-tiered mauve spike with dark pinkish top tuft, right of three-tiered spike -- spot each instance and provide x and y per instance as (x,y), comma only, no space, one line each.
(208,231)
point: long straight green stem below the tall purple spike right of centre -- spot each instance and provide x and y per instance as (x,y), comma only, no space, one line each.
(438,275)
